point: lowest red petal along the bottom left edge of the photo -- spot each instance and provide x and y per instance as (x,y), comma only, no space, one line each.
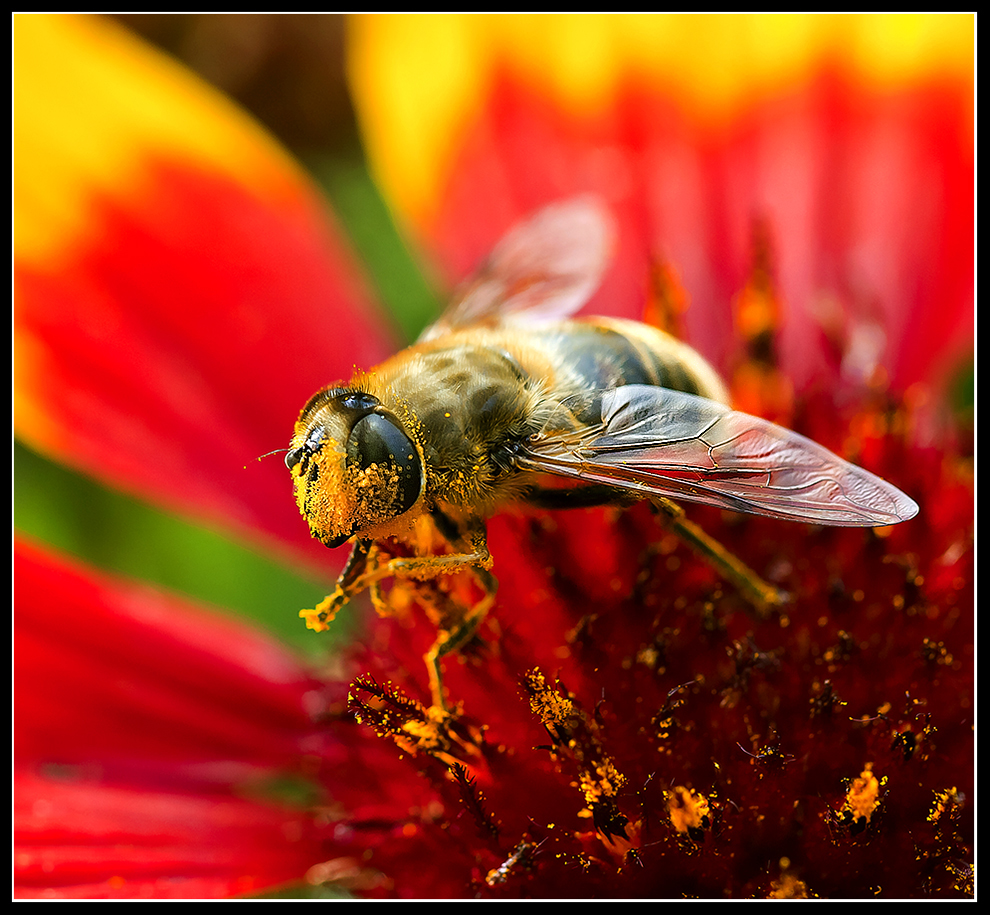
(75,838)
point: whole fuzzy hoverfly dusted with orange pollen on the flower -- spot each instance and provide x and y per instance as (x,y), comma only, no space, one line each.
(506,391)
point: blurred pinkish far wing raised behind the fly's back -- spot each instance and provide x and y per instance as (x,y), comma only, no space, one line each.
(544,269)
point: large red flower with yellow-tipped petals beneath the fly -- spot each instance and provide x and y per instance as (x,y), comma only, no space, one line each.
(626,725)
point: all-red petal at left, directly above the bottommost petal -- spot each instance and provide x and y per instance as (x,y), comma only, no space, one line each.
(110,671)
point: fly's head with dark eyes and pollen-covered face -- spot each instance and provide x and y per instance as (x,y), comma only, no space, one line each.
(354,466)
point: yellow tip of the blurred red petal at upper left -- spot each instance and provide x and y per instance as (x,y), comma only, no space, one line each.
(66,153)
